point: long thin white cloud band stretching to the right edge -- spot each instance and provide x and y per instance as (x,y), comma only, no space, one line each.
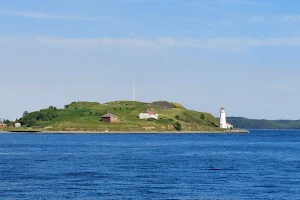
(228,44)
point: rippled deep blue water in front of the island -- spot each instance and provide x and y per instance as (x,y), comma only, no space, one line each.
(264,164)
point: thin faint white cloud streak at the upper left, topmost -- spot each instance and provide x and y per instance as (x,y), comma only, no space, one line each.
(39,15)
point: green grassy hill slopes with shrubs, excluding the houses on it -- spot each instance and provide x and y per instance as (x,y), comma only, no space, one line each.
(85,116)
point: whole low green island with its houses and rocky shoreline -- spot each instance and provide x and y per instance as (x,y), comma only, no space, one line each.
(119,117)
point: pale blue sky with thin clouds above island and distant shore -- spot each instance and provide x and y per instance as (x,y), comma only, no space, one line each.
(205,54)
